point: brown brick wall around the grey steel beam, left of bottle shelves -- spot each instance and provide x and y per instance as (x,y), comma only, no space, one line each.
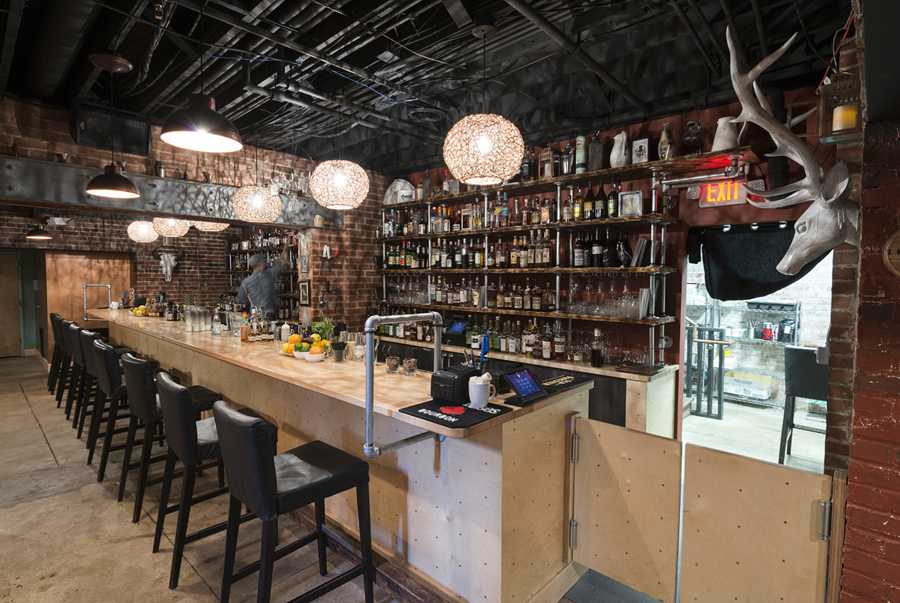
(41,131)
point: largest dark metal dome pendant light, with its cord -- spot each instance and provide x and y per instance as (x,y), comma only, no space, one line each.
(199,127)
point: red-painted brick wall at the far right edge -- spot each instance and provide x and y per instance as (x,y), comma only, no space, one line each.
(872,548)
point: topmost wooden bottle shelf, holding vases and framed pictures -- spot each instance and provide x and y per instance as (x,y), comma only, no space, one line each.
(641,171)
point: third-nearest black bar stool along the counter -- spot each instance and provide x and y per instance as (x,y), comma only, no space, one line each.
(143,402)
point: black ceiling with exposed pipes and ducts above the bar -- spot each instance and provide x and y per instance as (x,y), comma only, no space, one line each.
(406,70)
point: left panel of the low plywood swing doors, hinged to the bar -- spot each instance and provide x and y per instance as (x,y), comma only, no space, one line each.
(626,504)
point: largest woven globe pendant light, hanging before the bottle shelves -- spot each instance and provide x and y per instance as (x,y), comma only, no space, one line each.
(484,149)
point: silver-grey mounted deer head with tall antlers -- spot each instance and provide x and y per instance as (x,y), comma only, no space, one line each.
(832,218)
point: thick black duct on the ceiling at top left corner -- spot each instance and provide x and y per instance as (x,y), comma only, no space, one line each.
(58,44)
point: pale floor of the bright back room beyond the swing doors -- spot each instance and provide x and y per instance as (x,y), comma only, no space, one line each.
(755,431)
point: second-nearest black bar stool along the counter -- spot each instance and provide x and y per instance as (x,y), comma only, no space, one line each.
(191,441)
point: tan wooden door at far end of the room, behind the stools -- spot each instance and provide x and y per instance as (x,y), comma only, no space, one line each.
(67,273)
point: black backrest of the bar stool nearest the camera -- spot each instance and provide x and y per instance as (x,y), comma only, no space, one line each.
(249,460)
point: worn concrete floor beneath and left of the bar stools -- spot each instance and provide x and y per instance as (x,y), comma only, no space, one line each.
(65,538)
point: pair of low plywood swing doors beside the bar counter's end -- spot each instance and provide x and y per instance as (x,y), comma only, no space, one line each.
(749,530)
